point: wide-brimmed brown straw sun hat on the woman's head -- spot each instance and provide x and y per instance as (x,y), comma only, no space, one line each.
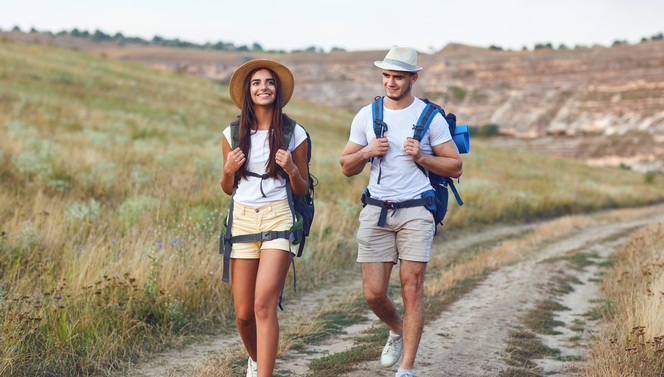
(236,84)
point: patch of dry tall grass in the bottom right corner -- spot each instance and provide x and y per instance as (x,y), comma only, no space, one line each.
(632,342)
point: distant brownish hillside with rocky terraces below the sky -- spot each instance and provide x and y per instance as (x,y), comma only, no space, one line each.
(602,105)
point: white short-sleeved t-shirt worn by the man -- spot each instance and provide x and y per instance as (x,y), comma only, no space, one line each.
(400,178)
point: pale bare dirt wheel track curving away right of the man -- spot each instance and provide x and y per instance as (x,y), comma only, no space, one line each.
(469,337)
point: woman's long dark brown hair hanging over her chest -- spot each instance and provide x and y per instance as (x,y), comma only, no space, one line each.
(248,120)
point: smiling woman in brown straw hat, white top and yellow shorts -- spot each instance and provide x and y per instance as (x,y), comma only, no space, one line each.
(260,88)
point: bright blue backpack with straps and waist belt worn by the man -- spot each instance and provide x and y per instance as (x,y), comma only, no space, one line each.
(435,200)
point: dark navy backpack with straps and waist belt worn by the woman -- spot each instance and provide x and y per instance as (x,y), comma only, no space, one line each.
(302,209)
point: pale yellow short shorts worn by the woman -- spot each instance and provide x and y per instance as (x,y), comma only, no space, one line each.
(247,220)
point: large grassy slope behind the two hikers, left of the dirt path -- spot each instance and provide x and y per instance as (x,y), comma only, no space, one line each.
(110,207)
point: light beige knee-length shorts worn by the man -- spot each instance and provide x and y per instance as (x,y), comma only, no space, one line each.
(407,235)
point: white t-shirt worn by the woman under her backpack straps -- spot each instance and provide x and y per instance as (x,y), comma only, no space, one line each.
(248,191)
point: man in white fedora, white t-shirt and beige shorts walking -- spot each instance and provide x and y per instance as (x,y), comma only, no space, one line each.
(395,177)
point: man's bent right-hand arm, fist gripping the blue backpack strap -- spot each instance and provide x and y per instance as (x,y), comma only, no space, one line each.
(446,161)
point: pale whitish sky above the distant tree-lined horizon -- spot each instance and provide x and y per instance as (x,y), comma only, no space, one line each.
(427,25)
